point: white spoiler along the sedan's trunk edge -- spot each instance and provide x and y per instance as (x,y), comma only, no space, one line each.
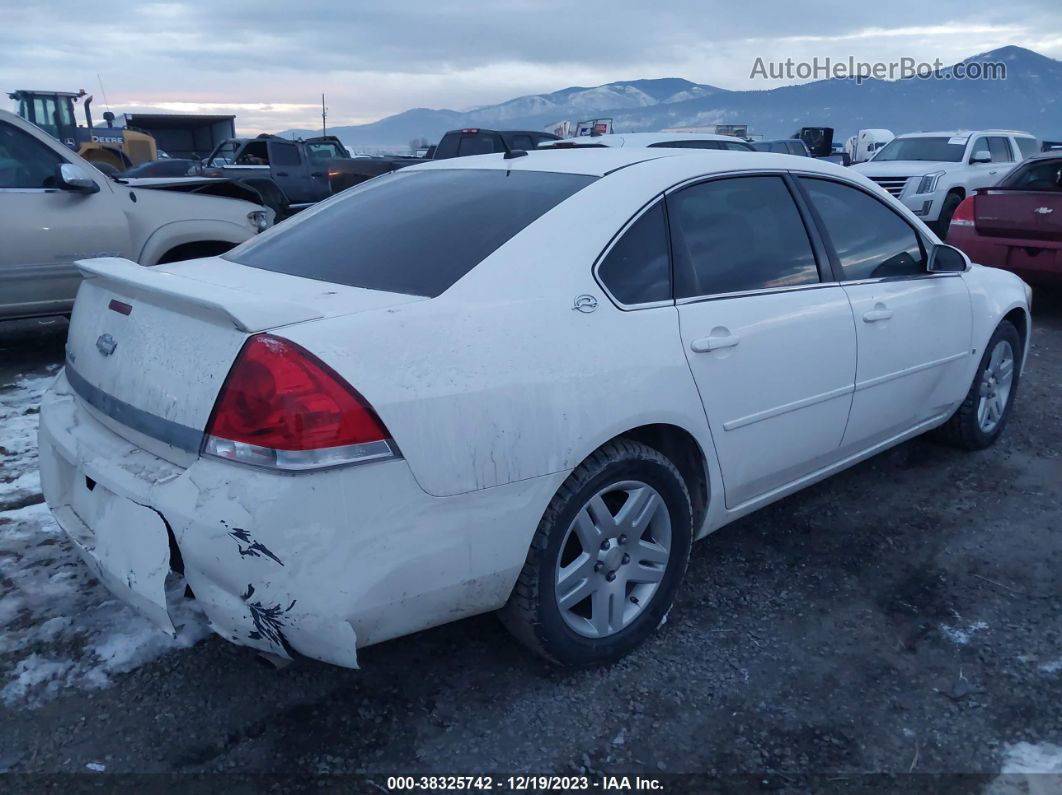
(163,288)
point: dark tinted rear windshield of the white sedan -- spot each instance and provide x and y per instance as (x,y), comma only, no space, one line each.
(412,232)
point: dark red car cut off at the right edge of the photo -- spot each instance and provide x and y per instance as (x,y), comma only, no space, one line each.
(1017,226)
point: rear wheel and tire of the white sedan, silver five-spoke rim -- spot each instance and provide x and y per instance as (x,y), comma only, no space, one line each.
(607,559)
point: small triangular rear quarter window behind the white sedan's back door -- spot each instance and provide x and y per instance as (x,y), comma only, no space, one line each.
(638,270)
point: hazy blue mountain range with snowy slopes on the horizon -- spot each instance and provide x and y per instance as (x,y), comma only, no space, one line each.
(1031,99)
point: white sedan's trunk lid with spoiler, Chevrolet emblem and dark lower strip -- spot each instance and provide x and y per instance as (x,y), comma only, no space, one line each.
(149,349)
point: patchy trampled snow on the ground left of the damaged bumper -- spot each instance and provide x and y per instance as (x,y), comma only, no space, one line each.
(59,627)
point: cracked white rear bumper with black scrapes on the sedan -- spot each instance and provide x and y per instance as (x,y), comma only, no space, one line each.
(292,565)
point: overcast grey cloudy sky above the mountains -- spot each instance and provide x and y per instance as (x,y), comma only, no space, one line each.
(268,63)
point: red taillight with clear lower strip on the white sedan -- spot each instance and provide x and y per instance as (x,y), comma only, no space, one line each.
(281,407)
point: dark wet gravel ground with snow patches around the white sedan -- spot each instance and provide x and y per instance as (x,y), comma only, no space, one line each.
(902,617)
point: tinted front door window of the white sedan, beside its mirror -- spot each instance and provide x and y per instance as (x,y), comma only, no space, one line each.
(871,241)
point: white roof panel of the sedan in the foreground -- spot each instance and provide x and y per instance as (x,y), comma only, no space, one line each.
(599,162)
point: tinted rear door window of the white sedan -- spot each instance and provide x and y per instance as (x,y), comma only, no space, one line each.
(731,236)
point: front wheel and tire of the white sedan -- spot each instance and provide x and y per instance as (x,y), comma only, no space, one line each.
(980,421)
